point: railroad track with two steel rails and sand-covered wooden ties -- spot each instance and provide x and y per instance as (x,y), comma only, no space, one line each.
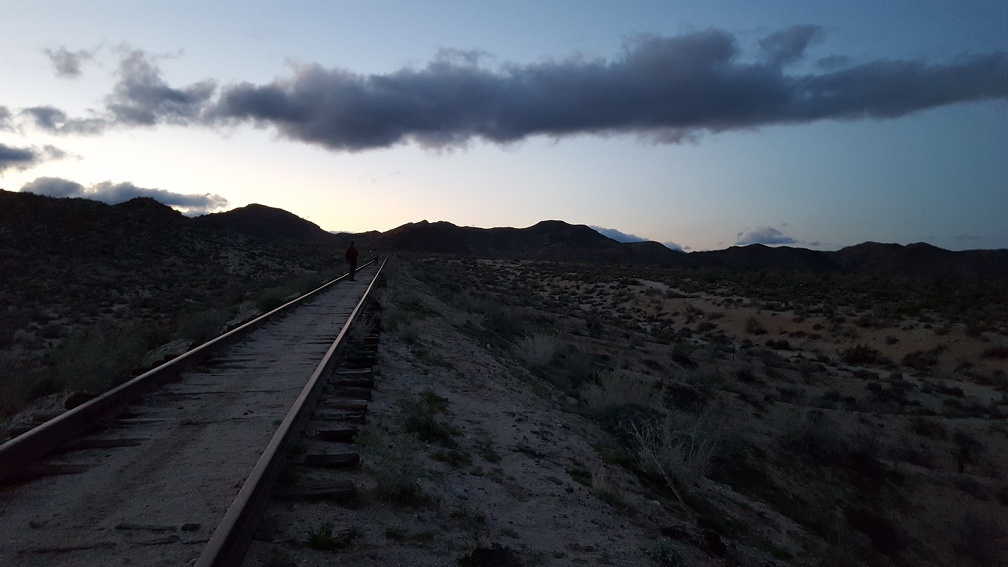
(176,467)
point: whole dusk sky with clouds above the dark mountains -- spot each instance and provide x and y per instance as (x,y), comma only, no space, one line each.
(699,125)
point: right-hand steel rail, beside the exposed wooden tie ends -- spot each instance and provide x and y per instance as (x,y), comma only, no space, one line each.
(228,545)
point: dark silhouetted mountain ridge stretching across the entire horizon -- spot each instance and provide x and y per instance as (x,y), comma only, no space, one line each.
(43,225)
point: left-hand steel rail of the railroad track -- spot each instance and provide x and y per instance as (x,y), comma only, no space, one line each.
(28,448)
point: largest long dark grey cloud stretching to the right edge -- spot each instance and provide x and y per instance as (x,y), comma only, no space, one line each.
(664,89)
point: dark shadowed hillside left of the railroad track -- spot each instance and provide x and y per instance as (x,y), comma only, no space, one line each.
(143,255)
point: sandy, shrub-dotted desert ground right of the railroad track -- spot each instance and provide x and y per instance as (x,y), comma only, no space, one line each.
(542,414)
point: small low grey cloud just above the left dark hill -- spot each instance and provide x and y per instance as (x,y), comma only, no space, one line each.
(113,193)
